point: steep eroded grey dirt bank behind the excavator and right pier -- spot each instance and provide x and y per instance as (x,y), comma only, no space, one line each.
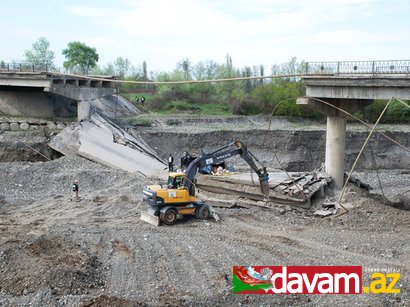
(297,150)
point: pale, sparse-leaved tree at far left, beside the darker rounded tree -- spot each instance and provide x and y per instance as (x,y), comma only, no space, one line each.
(40,56)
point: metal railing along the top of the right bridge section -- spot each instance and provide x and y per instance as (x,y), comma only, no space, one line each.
(358,67)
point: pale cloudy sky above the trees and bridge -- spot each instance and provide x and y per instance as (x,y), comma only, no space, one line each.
(253,32)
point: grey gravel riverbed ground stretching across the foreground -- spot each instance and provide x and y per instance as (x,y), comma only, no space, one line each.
(96,252)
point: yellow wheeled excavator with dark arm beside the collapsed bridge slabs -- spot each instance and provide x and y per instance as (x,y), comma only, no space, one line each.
(178,197)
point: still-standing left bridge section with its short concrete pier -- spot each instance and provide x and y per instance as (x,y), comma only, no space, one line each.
(29,92)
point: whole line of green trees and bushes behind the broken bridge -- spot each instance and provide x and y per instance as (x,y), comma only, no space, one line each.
(251,96)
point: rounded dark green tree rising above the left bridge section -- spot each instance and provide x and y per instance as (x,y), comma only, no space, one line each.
(80,57)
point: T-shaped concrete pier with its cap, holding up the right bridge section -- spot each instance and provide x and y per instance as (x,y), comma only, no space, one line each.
(335,132)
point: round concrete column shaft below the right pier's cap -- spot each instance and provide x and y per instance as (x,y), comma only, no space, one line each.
(335,149)
